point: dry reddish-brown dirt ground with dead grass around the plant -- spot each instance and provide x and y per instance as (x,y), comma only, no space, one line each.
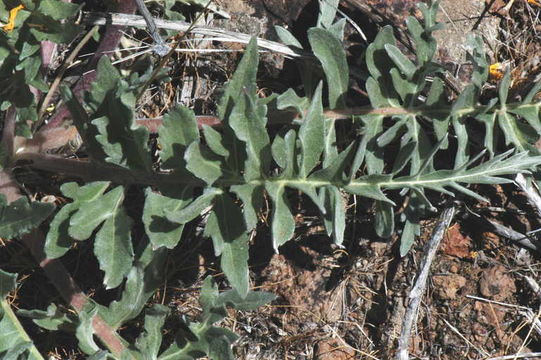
(482,300)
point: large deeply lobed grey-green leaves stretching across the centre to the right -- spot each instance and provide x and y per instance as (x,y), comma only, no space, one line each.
(227,172)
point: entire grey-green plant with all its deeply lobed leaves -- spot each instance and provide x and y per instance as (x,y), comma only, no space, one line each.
(230,169)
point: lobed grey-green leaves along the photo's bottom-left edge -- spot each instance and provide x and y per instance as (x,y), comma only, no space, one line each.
(193,340)
